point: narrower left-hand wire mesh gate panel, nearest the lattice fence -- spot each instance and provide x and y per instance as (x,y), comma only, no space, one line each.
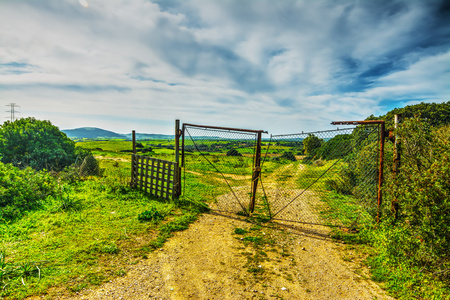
(218,164)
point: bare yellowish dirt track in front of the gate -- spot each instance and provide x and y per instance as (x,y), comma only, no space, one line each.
(210,261)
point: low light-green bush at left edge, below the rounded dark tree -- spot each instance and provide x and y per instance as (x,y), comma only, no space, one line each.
(22,190)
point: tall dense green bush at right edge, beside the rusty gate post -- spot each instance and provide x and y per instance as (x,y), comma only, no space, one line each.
(422,189)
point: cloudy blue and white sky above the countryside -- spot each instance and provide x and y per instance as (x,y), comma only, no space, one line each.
(282,66)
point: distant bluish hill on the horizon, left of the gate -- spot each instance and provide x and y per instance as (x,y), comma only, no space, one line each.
(98,133)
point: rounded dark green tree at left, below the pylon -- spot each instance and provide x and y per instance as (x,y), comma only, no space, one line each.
(37,144)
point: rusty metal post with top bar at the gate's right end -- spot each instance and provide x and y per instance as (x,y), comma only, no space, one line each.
(381,124)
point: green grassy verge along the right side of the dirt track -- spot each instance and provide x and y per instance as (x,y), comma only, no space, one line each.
(398,274)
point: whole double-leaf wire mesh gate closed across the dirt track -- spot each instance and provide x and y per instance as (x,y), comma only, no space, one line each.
(327,177)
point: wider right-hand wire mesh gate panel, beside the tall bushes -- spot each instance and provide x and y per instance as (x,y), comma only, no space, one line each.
(327,177)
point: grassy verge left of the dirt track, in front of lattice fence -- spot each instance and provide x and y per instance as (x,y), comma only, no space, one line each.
(88,233)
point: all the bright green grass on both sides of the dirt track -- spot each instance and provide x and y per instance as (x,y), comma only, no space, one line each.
(96,227)
